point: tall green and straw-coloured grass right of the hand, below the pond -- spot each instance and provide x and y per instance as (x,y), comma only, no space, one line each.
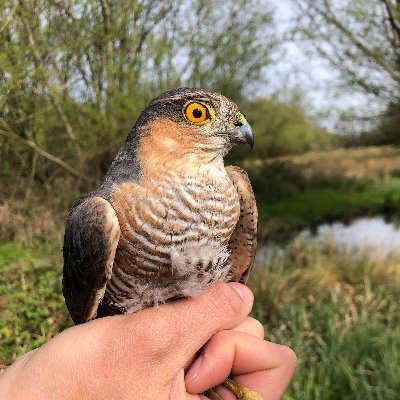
(340,312)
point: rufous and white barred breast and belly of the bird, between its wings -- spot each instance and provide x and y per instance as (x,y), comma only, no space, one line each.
(174,237)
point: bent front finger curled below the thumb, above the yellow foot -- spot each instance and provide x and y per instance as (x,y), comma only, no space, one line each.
(238,353)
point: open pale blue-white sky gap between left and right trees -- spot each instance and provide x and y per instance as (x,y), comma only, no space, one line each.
(315,77)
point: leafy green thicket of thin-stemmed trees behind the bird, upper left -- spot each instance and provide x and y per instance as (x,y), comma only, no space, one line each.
(74,74)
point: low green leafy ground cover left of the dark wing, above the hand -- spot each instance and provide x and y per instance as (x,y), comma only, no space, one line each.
(32,307)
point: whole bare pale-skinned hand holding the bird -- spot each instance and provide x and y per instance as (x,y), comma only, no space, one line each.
(175,351)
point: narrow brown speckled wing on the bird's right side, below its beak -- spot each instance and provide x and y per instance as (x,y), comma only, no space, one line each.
(243,242)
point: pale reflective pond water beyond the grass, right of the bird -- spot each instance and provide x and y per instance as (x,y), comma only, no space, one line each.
(376,234)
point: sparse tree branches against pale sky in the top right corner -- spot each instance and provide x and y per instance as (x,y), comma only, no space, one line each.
(360,38)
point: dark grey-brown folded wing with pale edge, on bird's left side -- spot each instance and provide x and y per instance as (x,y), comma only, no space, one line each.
(91,238)
